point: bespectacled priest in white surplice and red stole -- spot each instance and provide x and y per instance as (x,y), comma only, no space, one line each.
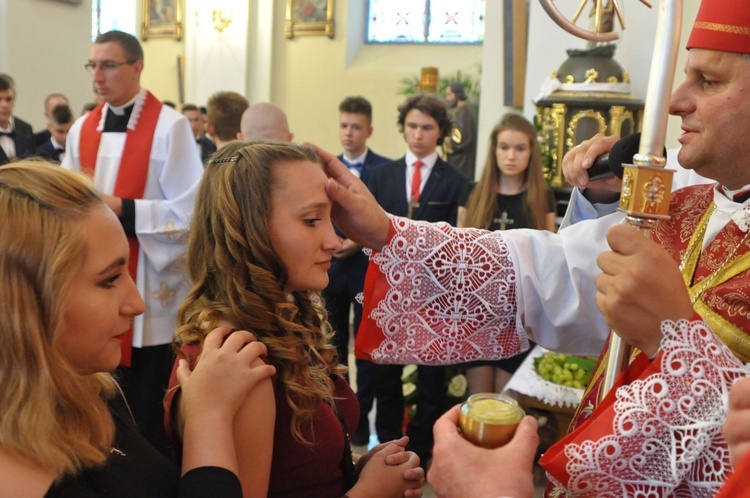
(142,158)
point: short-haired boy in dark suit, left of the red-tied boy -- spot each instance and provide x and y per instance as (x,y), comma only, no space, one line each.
(349,265)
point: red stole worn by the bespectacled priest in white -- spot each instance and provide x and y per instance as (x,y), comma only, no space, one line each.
(131,175)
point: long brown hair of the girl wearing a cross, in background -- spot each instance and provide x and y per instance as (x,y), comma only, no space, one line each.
(482,203)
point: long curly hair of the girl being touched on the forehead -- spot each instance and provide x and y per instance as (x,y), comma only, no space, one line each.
(238,276)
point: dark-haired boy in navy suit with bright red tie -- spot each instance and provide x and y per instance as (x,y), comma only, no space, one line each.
(421,186)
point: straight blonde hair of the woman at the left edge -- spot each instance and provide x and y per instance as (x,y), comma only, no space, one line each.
(51,415)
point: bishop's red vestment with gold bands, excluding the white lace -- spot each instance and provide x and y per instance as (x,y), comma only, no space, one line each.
(725,306)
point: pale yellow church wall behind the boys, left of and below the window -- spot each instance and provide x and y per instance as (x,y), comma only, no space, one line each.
(312,74)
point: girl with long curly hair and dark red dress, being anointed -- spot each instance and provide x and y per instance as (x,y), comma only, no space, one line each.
(259,251)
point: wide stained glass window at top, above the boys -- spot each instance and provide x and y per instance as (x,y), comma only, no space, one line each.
(425,21)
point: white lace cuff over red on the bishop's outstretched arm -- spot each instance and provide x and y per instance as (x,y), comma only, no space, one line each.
(450,298)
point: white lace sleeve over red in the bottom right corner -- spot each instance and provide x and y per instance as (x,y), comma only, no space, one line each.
(664,432)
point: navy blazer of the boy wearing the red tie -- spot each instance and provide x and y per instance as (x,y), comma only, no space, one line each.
(438,200)
